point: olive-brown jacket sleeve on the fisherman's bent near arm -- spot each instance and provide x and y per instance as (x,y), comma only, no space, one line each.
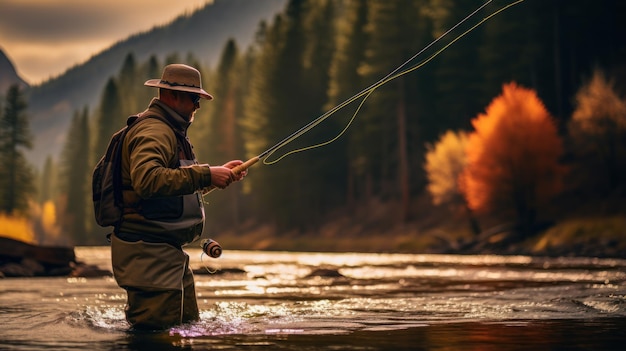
(153,163)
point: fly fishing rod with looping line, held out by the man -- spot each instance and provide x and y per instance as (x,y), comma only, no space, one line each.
(366,93)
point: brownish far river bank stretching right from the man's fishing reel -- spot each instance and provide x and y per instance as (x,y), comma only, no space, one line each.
(597,237)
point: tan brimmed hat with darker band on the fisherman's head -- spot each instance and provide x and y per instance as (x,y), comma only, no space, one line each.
(182,78)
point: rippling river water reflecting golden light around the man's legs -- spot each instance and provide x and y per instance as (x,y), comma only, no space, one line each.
(338,301)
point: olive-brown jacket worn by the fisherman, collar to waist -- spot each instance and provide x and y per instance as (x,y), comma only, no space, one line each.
(162,186)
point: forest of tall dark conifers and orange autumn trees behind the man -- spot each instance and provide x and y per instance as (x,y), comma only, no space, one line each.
(520,119)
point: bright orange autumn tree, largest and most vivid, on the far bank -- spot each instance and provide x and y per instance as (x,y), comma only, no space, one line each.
(513,158)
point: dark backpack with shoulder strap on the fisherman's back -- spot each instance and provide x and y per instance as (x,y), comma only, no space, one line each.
(107,176)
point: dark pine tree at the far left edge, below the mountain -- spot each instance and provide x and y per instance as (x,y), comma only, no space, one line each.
(16,175)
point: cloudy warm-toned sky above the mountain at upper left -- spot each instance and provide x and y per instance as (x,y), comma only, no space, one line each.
(43,38)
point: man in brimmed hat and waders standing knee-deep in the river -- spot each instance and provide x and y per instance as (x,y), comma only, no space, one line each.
(163,209)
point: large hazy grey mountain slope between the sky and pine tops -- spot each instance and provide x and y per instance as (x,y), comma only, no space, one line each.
(203,33)
